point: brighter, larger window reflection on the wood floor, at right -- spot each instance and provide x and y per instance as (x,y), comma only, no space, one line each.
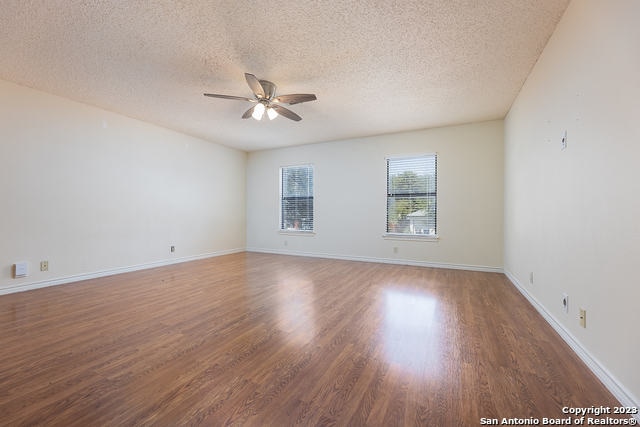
(410,331)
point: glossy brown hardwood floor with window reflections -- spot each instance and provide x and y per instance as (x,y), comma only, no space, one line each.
(268,340)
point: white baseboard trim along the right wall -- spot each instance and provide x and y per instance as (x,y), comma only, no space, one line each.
(625,397)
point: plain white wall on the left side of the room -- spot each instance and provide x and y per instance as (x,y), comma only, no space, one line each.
(92,191)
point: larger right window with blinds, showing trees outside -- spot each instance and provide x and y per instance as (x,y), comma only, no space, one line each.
(411,195)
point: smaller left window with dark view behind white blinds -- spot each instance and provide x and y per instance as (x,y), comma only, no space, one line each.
(296,198)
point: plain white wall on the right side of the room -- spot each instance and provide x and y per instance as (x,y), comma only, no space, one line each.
(573,217)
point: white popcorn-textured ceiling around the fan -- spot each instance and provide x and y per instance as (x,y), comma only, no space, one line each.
(376,66)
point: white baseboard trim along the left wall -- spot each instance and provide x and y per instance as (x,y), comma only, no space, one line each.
(103,273)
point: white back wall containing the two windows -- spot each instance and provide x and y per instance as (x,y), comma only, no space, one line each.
(350,197)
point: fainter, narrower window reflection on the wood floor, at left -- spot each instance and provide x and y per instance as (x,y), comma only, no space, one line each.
(296,312)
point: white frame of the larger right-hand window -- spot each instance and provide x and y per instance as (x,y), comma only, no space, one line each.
(411,236)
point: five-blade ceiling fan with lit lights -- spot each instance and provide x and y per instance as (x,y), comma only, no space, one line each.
(266,100)
